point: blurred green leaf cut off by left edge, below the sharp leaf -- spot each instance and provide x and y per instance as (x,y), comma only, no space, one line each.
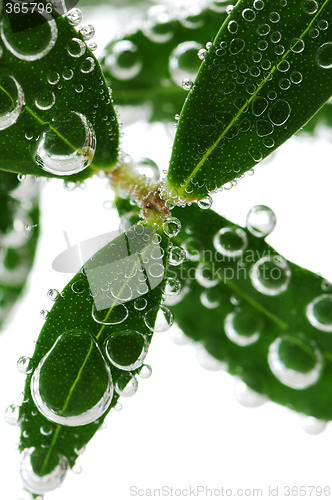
(19,232)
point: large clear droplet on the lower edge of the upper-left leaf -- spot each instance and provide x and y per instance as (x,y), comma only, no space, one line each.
(57,157)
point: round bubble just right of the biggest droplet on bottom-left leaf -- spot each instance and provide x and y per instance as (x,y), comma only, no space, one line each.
(127,349)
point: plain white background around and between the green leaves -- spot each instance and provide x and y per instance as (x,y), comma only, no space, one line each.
(183,427)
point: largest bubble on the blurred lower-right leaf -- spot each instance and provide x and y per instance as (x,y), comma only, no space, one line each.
(295,362)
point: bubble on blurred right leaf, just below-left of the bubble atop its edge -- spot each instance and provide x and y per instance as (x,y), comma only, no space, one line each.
(230,242)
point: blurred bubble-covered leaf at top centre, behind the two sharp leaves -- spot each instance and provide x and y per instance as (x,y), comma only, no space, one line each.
(147,66)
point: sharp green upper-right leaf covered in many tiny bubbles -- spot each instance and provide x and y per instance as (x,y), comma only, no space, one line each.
(267,72)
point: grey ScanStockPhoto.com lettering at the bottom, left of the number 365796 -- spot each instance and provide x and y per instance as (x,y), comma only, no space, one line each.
(196,491)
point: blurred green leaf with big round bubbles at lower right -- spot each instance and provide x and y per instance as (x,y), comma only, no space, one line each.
(266,318)
